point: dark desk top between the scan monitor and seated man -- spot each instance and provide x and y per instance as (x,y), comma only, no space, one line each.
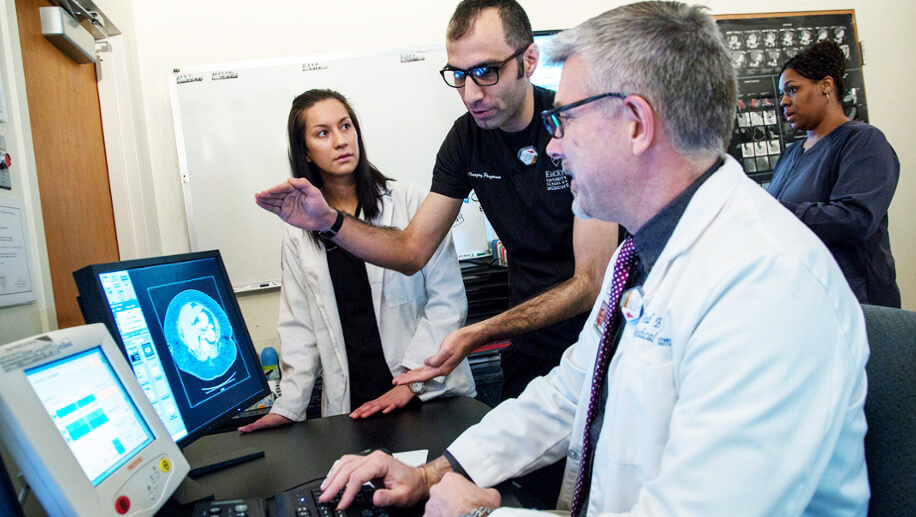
(303,451)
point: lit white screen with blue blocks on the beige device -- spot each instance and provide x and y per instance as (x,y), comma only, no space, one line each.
(93,413)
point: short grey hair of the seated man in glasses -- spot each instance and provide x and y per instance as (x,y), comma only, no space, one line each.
(669,53)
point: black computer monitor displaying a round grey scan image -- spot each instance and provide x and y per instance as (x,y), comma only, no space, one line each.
(178,323)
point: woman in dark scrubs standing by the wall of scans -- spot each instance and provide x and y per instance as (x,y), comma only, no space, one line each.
(840,180)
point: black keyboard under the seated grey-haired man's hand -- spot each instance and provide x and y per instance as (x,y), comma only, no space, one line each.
(302,501)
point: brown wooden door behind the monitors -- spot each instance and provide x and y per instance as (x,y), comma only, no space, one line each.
(70,160)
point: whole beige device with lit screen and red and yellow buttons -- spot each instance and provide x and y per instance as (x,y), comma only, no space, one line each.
(77,423)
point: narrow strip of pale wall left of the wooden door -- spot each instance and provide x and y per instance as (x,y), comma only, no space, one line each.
(23,320)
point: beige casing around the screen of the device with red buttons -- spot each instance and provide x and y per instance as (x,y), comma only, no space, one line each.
(47,462)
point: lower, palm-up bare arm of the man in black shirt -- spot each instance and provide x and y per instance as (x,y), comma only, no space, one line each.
(594,242)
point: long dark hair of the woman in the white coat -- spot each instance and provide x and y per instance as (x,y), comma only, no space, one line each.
(370,183)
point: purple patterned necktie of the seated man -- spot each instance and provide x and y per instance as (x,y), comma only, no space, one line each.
(625,259)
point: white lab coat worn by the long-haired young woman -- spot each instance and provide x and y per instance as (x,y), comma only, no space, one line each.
(414,314)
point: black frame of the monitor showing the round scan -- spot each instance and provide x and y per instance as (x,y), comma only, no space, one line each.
(88,283)
